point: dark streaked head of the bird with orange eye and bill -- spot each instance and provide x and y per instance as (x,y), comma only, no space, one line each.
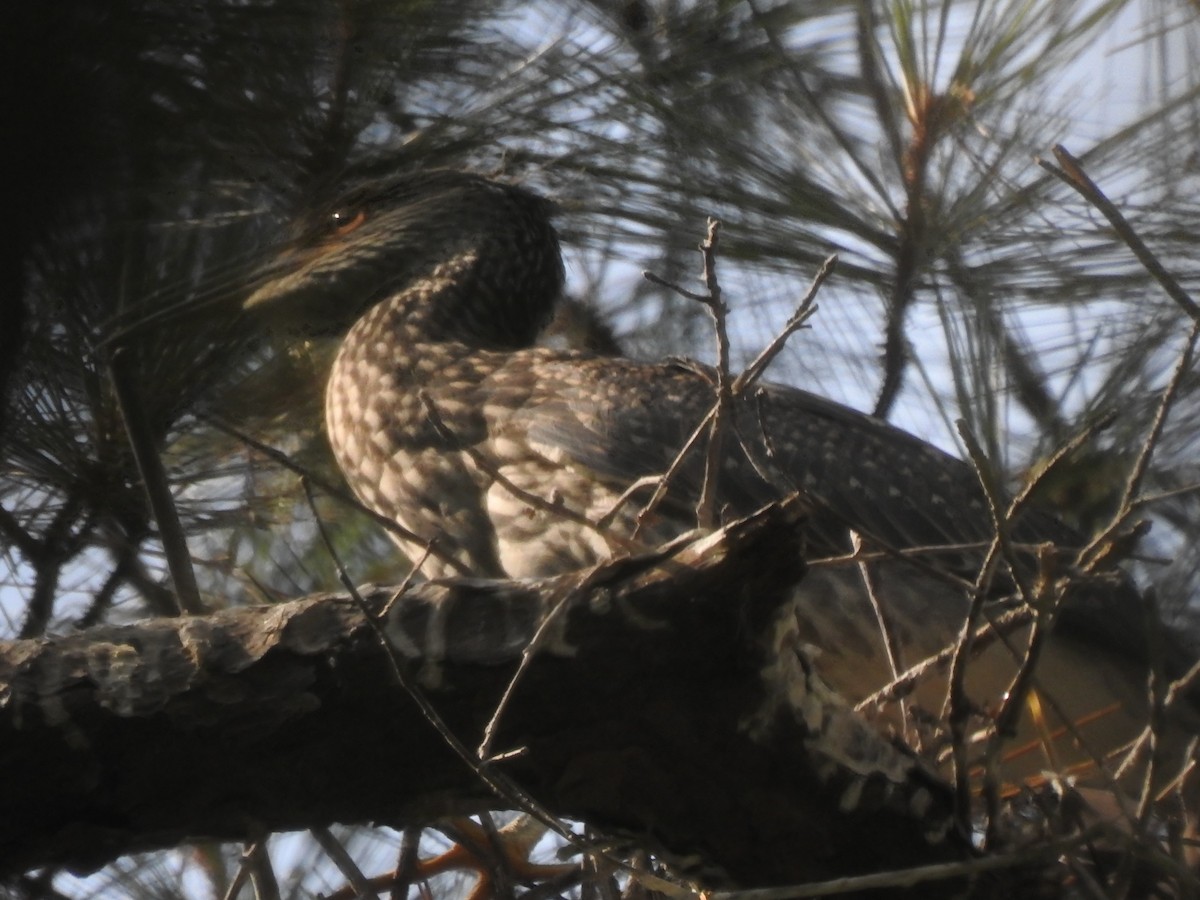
(469,259)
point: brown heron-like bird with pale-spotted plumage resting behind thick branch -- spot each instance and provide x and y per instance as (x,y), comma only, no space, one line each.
(521,461)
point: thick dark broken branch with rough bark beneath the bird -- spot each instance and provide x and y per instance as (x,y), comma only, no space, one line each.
(655,705)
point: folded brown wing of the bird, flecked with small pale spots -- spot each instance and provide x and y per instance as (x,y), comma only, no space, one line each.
(625,421)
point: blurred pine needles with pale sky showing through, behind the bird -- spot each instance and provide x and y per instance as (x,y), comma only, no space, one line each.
(164,147)
